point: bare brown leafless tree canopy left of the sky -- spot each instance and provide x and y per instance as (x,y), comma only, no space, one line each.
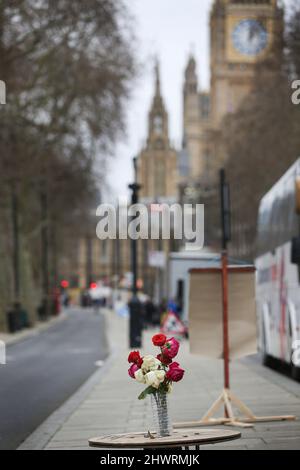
(68,69)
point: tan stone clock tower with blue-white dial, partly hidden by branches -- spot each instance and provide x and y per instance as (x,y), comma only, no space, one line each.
(242,33)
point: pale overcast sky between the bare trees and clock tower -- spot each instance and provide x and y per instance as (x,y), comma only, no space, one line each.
(169,29)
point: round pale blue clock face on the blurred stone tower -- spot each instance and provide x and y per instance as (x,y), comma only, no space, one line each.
(250,37)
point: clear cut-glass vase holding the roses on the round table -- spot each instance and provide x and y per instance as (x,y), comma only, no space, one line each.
(160,410)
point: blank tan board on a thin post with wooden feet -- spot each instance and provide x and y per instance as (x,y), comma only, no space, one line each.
(205,312)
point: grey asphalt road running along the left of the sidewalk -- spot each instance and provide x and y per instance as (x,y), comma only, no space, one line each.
(46,369)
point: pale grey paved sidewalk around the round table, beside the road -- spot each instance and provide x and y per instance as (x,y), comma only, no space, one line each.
(111,405)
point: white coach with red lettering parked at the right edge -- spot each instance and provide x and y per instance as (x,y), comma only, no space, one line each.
(278,271)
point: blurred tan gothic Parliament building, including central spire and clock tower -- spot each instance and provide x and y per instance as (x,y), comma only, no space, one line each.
(242,33)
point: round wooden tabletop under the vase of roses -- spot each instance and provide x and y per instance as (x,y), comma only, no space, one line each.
(179,438)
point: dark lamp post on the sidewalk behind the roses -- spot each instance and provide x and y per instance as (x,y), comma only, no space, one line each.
(135,306)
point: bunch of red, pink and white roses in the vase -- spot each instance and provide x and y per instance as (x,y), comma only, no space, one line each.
(159,372)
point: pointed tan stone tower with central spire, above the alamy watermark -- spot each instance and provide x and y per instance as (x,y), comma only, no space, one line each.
(157,162)
